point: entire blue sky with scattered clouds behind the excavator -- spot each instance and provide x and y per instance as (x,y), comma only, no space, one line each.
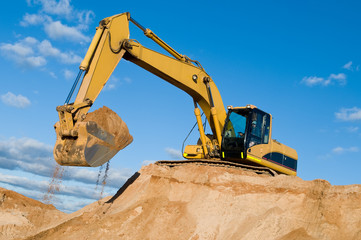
(298,61)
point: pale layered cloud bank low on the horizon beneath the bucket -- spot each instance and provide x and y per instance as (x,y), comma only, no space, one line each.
(35,158)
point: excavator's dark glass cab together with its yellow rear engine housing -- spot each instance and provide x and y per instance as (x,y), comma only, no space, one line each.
(247,139)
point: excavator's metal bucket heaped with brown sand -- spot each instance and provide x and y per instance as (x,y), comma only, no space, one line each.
(100,136)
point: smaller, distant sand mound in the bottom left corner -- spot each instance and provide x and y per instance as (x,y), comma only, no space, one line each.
(21,216)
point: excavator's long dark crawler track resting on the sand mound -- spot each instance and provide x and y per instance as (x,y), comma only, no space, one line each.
(256,169)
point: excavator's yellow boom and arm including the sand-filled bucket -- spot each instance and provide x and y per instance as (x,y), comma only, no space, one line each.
(81,142)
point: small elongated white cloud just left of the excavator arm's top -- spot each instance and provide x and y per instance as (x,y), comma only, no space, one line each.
(57,30)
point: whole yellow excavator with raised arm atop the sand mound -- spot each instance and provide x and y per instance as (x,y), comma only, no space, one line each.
(241,135)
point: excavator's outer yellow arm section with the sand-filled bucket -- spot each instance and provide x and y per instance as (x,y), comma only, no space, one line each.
(81,141)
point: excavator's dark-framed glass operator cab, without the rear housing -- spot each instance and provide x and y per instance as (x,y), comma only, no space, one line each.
(244,128)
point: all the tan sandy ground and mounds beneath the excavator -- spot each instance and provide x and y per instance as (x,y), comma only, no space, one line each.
(195,202)
